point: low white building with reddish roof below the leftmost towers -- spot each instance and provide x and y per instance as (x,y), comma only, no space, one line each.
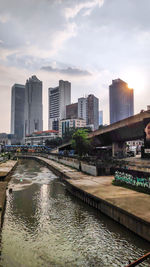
(39,138)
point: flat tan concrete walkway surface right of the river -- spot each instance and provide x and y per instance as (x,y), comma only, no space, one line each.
(137,204)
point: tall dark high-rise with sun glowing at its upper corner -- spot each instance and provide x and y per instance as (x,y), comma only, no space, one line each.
(120,101)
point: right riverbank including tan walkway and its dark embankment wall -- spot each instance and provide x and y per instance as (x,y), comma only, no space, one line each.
(125,206)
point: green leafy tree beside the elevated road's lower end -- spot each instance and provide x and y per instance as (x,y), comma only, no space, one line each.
(80,142)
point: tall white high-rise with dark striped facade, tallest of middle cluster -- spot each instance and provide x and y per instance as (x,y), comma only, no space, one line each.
(59,97)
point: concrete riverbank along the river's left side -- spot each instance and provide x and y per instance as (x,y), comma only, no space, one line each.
(6,169)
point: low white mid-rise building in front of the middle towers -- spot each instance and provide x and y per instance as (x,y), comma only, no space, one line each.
(66,124)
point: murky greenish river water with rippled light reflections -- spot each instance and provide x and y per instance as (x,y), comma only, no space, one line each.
(45,226)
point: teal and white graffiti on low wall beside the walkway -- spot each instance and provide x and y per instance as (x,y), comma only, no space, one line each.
(129,179)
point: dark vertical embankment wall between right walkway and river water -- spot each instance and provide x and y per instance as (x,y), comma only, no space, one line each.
(133,223)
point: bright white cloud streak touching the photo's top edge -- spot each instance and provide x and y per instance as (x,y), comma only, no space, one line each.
(87,6)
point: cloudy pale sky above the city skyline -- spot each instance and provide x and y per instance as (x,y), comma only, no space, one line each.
(87,42)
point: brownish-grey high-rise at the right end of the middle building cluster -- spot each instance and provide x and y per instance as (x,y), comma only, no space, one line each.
(93,111)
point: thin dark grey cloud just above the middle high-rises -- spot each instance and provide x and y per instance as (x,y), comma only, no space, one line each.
(68,71)
